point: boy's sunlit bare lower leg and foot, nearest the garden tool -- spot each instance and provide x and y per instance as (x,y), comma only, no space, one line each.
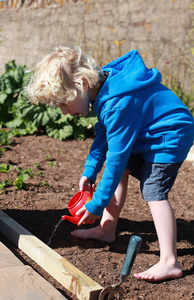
(165,224)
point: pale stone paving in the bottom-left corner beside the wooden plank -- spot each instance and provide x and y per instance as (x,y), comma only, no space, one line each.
(21,282)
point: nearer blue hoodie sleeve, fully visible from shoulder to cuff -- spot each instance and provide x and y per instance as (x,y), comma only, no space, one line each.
(122,129)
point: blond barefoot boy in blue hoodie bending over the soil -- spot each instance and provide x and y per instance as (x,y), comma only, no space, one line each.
(143,129)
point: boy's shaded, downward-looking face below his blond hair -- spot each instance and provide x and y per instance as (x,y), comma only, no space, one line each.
(79,106)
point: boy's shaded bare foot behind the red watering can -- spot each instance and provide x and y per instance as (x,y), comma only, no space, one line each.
(96,233)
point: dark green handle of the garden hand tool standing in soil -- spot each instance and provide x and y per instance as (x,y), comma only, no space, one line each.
(132,250)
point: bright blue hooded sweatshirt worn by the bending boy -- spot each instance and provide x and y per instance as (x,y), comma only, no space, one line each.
(136,114)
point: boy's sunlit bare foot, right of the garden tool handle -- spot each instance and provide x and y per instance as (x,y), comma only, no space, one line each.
(160,271)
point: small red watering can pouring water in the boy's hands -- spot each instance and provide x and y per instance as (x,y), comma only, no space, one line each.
(78,200)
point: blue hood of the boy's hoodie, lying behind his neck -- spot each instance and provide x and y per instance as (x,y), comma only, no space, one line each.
(128,73)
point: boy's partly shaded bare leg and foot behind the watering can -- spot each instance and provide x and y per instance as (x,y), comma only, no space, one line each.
(105,231)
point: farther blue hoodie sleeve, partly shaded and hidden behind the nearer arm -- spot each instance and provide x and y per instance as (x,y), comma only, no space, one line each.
(97,155)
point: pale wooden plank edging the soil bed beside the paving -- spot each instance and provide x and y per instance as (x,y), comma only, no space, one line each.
(78,283)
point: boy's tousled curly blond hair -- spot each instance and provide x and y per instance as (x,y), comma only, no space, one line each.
(57,77)
